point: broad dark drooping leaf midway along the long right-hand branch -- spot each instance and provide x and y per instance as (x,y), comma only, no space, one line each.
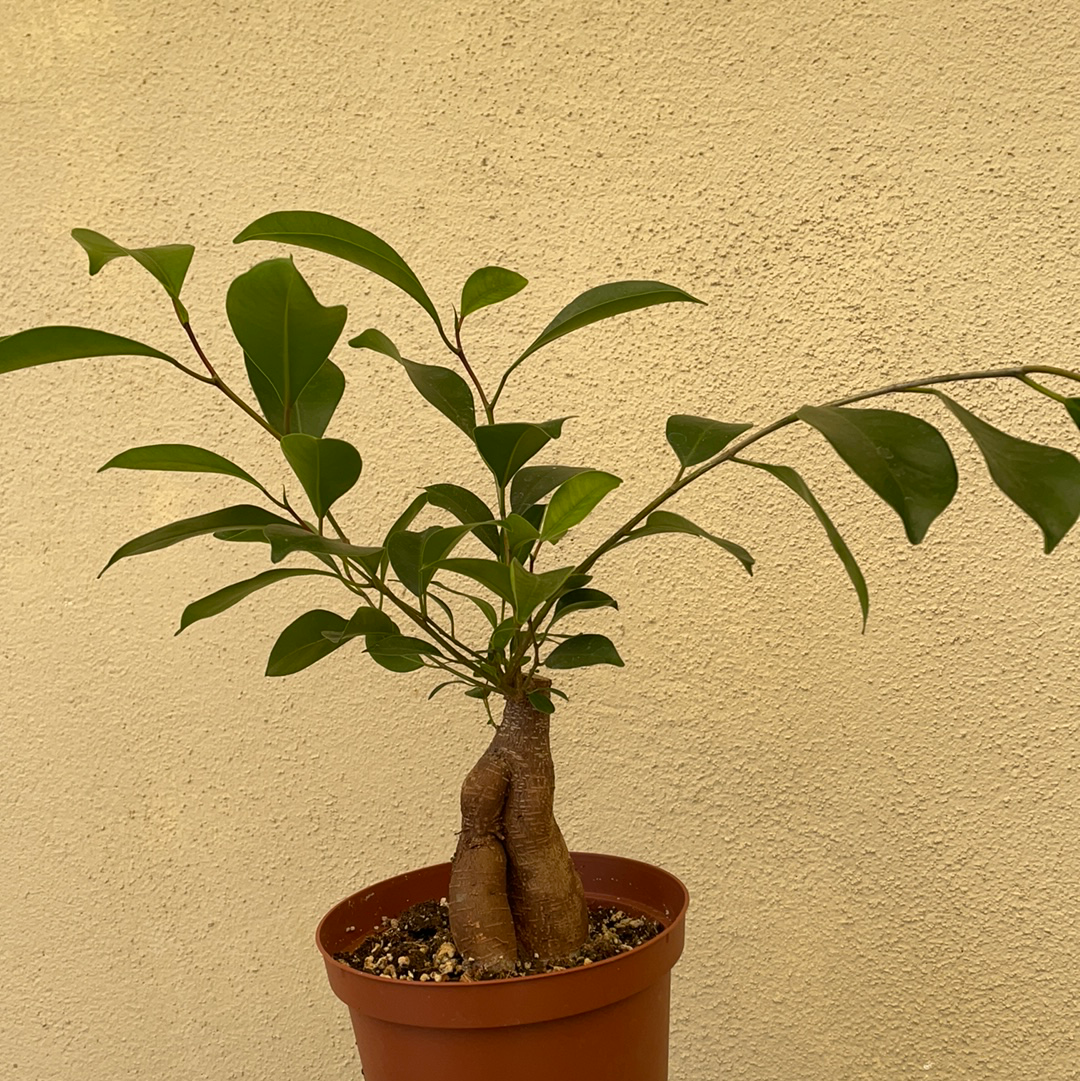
(900,457)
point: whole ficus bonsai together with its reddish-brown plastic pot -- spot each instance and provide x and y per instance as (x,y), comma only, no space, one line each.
(472,589)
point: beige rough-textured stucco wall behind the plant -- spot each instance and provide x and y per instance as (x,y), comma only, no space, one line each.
(879,832)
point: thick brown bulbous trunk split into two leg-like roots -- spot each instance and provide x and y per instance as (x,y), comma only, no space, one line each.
(514,891)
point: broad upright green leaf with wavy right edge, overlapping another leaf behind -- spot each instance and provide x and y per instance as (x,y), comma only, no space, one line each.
(286,333)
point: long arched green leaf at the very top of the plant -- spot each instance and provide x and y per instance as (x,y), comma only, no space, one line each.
(324,233)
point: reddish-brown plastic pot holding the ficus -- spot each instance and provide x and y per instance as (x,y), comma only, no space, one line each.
(603,1022)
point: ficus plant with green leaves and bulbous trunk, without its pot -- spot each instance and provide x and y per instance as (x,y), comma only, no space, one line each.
(498,554)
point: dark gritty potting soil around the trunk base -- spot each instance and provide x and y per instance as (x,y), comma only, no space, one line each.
(418,945)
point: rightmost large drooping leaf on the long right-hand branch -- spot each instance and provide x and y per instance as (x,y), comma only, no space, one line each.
(1043,482)
